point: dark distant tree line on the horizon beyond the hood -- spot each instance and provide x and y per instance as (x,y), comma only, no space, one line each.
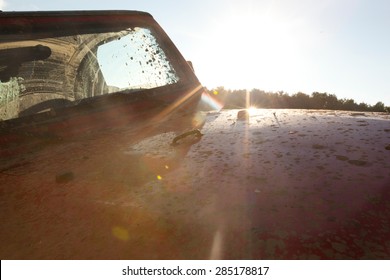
(261,99)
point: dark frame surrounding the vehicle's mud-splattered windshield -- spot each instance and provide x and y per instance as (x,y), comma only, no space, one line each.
(18,26)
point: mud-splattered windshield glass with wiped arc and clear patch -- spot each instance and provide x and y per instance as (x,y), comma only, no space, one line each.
(59,69)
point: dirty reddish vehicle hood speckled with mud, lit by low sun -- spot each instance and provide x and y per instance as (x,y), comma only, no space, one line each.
(275,184)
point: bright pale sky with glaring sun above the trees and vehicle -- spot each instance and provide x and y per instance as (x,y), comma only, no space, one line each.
(335,46)
